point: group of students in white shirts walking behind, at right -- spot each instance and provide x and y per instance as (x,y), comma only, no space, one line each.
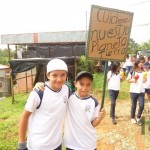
(138,75)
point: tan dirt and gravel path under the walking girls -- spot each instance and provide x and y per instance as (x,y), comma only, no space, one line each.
(123,135)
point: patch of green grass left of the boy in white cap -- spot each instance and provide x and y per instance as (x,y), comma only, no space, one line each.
(9,118)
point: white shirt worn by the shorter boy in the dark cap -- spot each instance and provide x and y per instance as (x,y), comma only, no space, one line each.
(79,134)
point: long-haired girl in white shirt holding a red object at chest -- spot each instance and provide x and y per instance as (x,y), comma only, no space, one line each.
(137,91)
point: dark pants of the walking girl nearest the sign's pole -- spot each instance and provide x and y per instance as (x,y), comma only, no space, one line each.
(113,97)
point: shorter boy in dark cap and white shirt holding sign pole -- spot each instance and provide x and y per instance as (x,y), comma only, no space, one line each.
(83,114)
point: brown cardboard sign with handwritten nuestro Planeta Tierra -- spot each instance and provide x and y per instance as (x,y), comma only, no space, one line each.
(109,33)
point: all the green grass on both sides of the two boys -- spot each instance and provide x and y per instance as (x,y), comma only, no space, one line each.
(10,113)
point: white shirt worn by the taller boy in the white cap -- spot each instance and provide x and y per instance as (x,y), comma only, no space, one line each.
(46,123)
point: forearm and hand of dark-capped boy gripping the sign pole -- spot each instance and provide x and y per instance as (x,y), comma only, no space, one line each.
(97,120)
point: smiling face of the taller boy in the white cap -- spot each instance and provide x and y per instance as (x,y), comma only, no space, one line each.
(57,79)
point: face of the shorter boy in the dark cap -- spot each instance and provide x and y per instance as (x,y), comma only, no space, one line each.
(83,87)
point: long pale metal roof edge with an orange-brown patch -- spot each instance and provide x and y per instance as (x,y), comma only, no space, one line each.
(45,37)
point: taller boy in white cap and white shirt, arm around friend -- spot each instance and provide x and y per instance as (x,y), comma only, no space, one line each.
(45,124)
